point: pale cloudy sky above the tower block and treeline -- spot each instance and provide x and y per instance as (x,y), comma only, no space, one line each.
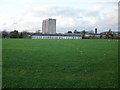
(70,15)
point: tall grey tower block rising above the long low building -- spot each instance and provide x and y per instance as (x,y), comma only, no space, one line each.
(49,26)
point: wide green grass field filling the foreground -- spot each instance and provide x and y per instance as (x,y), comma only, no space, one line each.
(29,63)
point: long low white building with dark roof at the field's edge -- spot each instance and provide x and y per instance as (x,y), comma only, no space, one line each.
(55,36)
